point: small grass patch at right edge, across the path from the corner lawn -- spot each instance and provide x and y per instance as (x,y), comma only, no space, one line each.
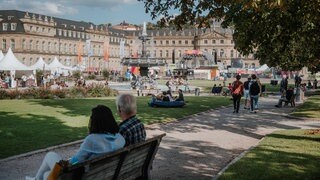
(309,109)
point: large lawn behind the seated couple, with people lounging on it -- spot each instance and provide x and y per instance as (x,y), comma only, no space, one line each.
(27,125)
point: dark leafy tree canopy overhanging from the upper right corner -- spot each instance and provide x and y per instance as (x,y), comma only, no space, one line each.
(282,33)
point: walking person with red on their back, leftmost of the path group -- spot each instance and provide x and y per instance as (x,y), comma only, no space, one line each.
(237,92)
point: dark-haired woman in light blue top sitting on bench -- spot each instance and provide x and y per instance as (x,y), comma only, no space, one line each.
(103,137)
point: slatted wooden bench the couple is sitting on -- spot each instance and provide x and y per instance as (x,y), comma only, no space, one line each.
(132,162)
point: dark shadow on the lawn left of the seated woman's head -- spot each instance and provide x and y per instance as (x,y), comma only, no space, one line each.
(20,134)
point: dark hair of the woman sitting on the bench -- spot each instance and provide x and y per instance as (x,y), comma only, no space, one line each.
(102,121)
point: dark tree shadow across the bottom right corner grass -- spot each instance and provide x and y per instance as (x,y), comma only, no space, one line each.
(264,163)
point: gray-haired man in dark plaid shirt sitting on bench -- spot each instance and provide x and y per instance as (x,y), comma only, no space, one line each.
(131,128)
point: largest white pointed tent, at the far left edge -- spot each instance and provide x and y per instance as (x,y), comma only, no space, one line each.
(10,63)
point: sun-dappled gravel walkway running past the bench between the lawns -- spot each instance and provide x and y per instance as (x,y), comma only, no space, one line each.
(196,147)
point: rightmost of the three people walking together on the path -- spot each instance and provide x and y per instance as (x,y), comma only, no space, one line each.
(254,91)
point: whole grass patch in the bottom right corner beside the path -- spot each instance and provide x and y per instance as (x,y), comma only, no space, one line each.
(289,154)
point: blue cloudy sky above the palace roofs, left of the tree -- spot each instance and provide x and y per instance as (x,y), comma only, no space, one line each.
(95,11)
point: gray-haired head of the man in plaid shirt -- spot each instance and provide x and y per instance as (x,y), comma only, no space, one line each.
(126,103)
